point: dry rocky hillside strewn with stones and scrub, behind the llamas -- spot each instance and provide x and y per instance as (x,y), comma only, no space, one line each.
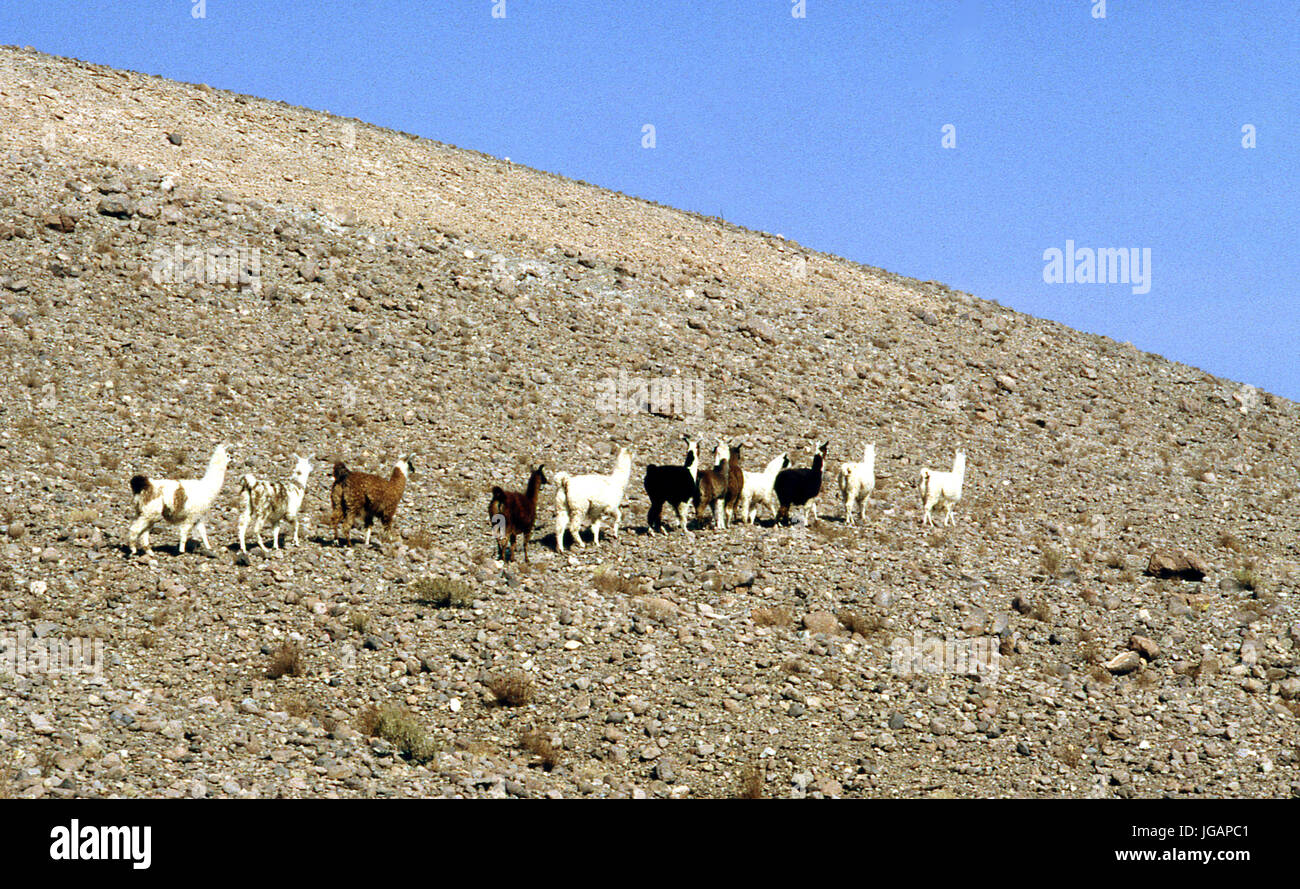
(363,294)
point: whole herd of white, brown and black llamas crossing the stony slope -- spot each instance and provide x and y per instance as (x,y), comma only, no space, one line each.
(718,493)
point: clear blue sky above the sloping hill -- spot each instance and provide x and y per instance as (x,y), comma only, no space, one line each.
(1117,132)
